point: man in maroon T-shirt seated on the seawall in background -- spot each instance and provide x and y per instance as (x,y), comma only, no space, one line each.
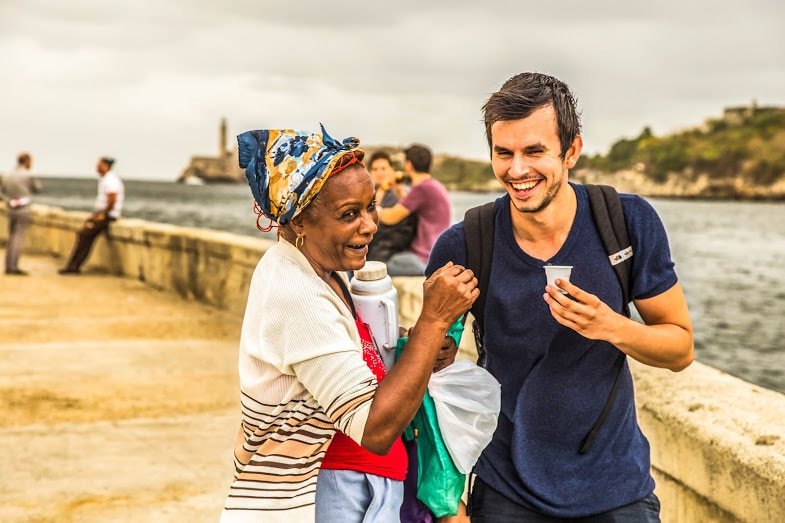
(429,200)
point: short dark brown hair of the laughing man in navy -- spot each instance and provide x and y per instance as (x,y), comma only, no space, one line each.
(523,94)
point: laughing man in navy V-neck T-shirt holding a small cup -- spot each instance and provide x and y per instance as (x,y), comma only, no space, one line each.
(568,443)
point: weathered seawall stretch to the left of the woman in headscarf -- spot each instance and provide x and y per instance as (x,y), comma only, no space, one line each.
(211,266)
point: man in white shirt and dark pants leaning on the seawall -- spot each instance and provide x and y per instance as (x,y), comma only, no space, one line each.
(108,204)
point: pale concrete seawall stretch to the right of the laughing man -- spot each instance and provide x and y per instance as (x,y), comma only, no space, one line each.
(718,437)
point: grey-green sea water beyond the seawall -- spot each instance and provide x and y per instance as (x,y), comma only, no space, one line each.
(730,258)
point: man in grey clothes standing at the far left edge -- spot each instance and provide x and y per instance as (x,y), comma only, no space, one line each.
(16,189)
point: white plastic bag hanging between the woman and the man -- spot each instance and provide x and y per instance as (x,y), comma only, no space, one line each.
(467,400)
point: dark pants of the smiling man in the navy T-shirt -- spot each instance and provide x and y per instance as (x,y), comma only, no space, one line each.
(489,506)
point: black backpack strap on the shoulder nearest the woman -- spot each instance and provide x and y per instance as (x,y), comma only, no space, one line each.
(478,226)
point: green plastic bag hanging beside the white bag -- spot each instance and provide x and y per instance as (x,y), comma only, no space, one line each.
(439,483)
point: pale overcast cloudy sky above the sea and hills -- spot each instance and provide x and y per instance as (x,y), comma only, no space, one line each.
(147,81)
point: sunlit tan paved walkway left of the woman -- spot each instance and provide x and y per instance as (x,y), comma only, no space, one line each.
(117,402)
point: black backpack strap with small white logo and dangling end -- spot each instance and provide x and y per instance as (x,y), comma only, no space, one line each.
(609,218)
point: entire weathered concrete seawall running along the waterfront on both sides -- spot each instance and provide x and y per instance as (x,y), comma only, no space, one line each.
(718,443)
